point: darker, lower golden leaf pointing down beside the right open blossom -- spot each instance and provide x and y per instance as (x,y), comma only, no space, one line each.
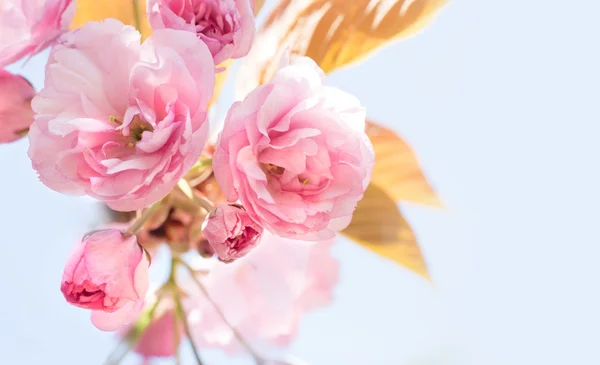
(378,225)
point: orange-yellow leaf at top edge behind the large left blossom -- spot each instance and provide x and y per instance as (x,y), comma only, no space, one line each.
(124,10)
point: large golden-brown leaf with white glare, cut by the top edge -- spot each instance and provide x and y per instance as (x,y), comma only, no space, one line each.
(334,33)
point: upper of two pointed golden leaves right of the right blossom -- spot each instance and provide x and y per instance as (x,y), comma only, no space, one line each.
(397,170)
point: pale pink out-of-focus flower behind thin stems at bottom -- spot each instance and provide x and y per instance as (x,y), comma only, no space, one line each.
(264,294)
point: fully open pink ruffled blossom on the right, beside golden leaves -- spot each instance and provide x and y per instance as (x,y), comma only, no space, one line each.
(295,154)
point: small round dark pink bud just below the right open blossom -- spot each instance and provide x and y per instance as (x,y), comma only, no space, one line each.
(231,232)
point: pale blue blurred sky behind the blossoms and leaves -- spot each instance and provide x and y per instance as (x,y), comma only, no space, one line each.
(501,103)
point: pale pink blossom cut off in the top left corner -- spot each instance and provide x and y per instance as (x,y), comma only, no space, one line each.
(29,26)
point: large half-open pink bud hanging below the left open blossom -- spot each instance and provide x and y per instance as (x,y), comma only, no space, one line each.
(107,273)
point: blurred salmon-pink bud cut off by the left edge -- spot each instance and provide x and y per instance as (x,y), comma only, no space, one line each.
(15,106)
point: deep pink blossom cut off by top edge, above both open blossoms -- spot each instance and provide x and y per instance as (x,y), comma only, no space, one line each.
(226,26)
